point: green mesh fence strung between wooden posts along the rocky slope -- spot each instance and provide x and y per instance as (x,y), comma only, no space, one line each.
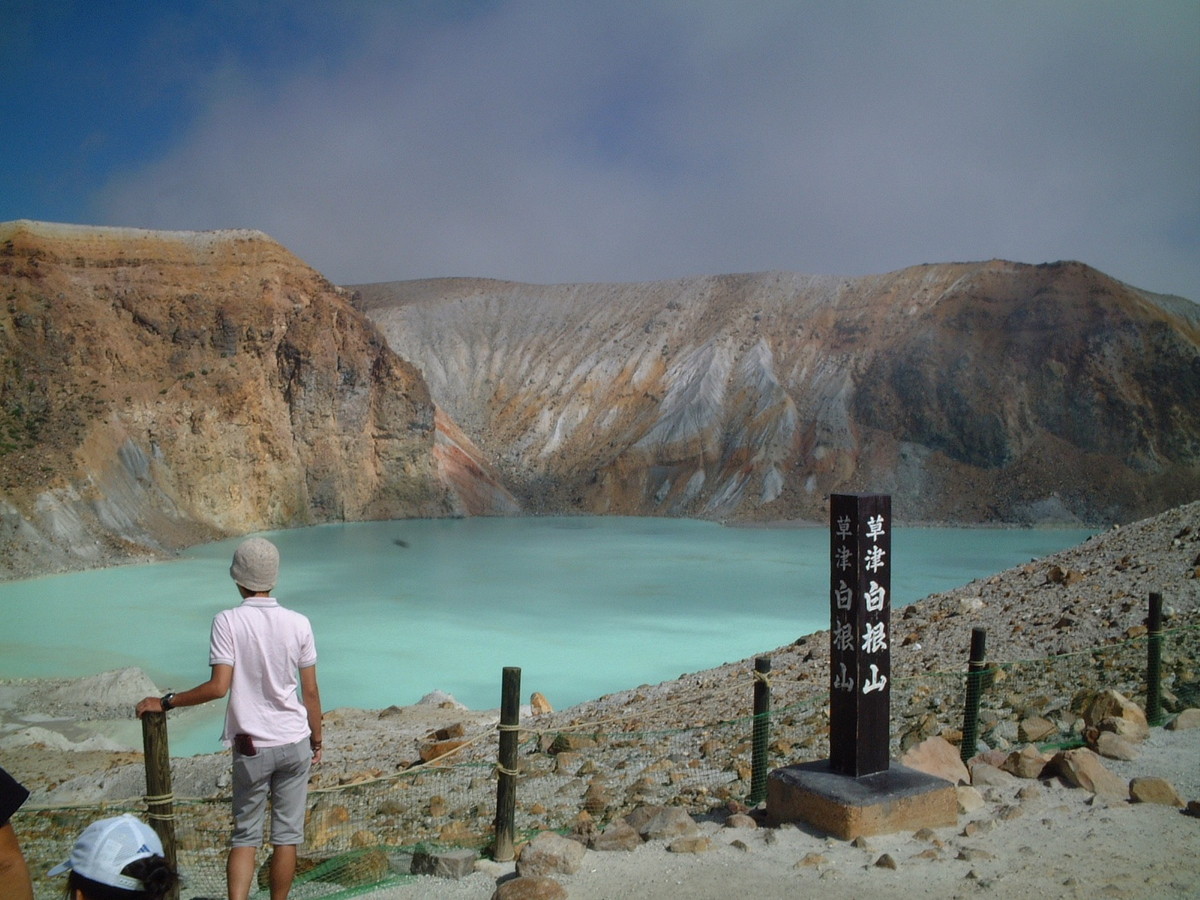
(363,837)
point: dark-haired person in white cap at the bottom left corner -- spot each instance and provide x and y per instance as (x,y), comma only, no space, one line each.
(117,859)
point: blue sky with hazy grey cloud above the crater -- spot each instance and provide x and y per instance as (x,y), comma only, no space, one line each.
(613,141)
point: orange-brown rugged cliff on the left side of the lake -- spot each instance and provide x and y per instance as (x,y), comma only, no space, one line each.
(163,388)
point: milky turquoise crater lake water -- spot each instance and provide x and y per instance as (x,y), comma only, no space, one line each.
(584,607)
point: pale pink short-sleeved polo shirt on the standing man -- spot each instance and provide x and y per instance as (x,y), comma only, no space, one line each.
(267,646)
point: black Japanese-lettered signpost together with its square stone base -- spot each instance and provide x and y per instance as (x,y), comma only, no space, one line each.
(857,791)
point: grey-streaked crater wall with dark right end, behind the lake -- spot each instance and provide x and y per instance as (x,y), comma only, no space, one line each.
(989,392)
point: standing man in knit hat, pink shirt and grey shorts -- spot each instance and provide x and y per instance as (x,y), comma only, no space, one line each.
(265,657)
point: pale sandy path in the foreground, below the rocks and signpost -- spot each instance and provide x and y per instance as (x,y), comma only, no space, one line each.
(1037,841)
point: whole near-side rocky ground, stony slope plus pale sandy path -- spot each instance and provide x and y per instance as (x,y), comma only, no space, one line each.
(659,742)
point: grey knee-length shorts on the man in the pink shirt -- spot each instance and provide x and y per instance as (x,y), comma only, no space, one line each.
(281,772)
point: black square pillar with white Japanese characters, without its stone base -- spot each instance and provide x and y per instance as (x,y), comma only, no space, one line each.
(860,634)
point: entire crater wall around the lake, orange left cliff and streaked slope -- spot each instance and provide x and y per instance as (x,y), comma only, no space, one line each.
(160,389)
